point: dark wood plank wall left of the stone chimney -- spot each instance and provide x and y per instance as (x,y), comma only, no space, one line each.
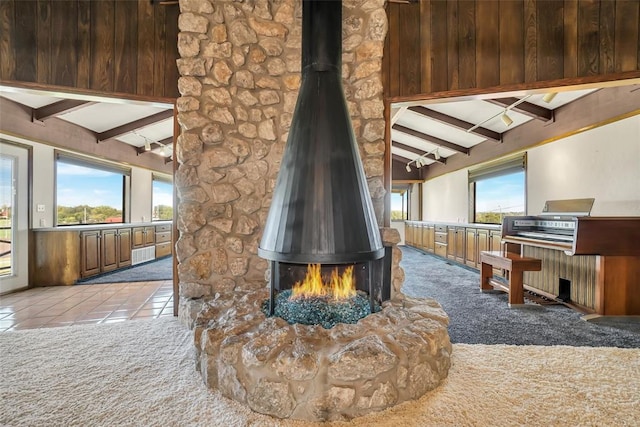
(113,46)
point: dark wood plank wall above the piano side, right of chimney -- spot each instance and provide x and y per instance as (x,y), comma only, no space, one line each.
(438,45)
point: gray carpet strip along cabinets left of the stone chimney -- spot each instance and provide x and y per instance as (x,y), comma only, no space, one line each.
(159,269)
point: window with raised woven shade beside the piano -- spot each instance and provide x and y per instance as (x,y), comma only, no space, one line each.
(498,190)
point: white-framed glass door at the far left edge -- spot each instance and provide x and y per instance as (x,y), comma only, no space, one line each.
(13,218)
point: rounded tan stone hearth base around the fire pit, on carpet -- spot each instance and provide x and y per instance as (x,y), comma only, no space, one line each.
(314,374)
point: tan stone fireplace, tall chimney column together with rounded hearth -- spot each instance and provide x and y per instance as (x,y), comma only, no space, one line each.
(240,73)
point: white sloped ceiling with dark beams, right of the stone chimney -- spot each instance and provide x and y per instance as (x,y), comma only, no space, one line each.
(433,133)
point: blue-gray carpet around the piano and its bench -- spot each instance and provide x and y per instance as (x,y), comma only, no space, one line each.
(485,318)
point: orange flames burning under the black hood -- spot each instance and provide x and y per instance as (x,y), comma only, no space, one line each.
(340,287)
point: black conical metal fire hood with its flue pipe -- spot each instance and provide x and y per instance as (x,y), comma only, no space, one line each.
(321,210)
